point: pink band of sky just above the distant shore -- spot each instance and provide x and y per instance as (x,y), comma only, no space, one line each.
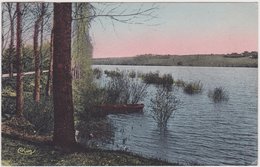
(189,45)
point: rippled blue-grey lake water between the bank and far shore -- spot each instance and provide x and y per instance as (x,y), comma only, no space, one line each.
(200,131)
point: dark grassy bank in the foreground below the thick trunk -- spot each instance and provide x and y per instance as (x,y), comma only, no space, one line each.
(42,154)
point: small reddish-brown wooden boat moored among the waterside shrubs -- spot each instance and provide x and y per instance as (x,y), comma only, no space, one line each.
(120,108)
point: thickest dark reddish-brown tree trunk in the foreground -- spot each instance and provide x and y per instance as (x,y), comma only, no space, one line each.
(64,132)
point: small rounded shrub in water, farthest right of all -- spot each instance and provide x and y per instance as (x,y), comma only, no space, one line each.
(218,95)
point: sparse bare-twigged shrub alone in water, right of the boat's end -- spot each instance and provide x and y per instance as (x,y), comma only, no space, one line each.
(163,105)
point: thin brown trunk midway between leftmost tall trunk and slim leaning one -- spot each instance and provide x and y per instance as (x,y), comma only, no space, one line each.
(37,63)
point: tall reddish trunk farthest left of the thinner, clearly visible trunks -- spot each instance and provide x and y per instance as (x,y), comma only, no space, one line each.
(19,78)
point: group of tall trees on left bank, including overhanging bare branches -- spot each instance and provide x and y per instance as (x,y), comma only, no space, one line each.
(62,36)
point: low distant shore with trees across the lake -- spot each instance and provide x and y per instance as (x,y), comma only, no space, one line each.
(245,59)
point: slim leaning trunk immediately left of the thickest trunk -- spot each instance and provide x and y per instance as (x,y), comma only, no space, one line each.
(50,73)
